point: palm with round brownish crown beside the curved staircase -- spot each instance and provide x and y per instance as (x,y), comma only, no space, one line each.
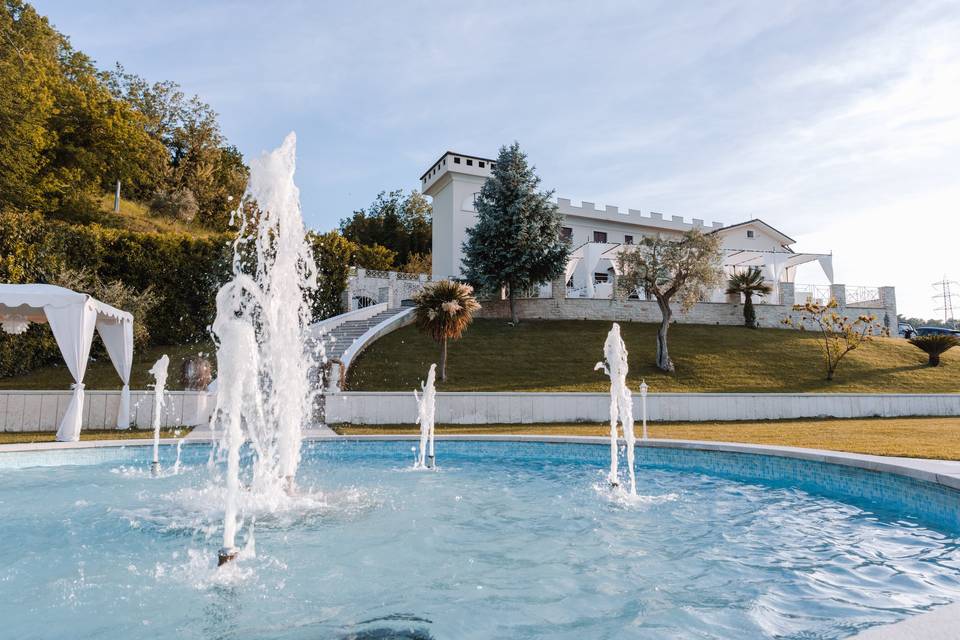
(444,309)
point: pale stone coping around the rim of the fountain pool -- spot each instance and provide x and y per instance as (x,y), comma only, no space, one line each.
(939,623)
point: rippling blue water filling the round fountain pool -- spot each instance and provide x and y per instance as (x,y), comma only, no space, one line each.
(504,540)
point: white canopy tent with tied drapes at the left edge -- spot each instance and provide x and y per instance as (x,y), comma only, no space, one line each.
(73,317)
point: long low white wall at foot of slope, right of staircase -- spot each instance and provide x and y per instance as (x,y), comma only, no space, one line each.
(499,408)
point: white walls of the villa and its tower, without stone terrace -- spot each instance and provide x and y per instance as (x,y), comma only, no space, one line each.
(597,235)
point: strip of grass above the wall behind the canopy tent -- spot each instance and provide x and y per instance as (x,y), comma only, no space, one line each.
(101,374)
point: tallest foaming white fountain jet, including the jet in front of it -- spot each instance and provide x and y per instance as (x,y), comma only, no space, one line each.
(264,390)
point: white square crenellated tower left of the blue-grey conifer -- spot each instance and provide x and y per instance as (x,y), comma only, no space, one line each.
(453,181)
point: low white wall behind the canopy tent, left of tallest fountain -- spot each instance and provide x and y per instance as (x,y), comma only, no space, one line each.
(43,410)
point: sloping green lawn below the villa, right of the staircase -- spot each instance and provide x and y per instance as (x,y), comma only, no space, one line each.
(559,355)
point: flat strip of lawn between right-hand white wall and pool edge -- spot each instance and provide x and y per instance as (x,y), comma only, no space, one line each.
(908,437)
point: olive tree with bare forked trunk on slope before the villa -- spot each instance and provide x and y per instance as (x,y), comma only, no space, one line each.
(671,269)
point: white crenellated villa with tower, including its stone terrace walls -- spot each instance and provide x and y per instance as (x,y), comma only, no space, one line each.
(597,236)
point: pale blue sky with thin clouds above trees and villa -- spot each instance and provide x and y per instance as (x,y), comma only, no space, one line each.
(836,122)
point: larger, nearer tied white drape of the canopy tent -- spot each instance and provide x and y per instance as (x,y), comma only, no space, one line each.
(72,327)
